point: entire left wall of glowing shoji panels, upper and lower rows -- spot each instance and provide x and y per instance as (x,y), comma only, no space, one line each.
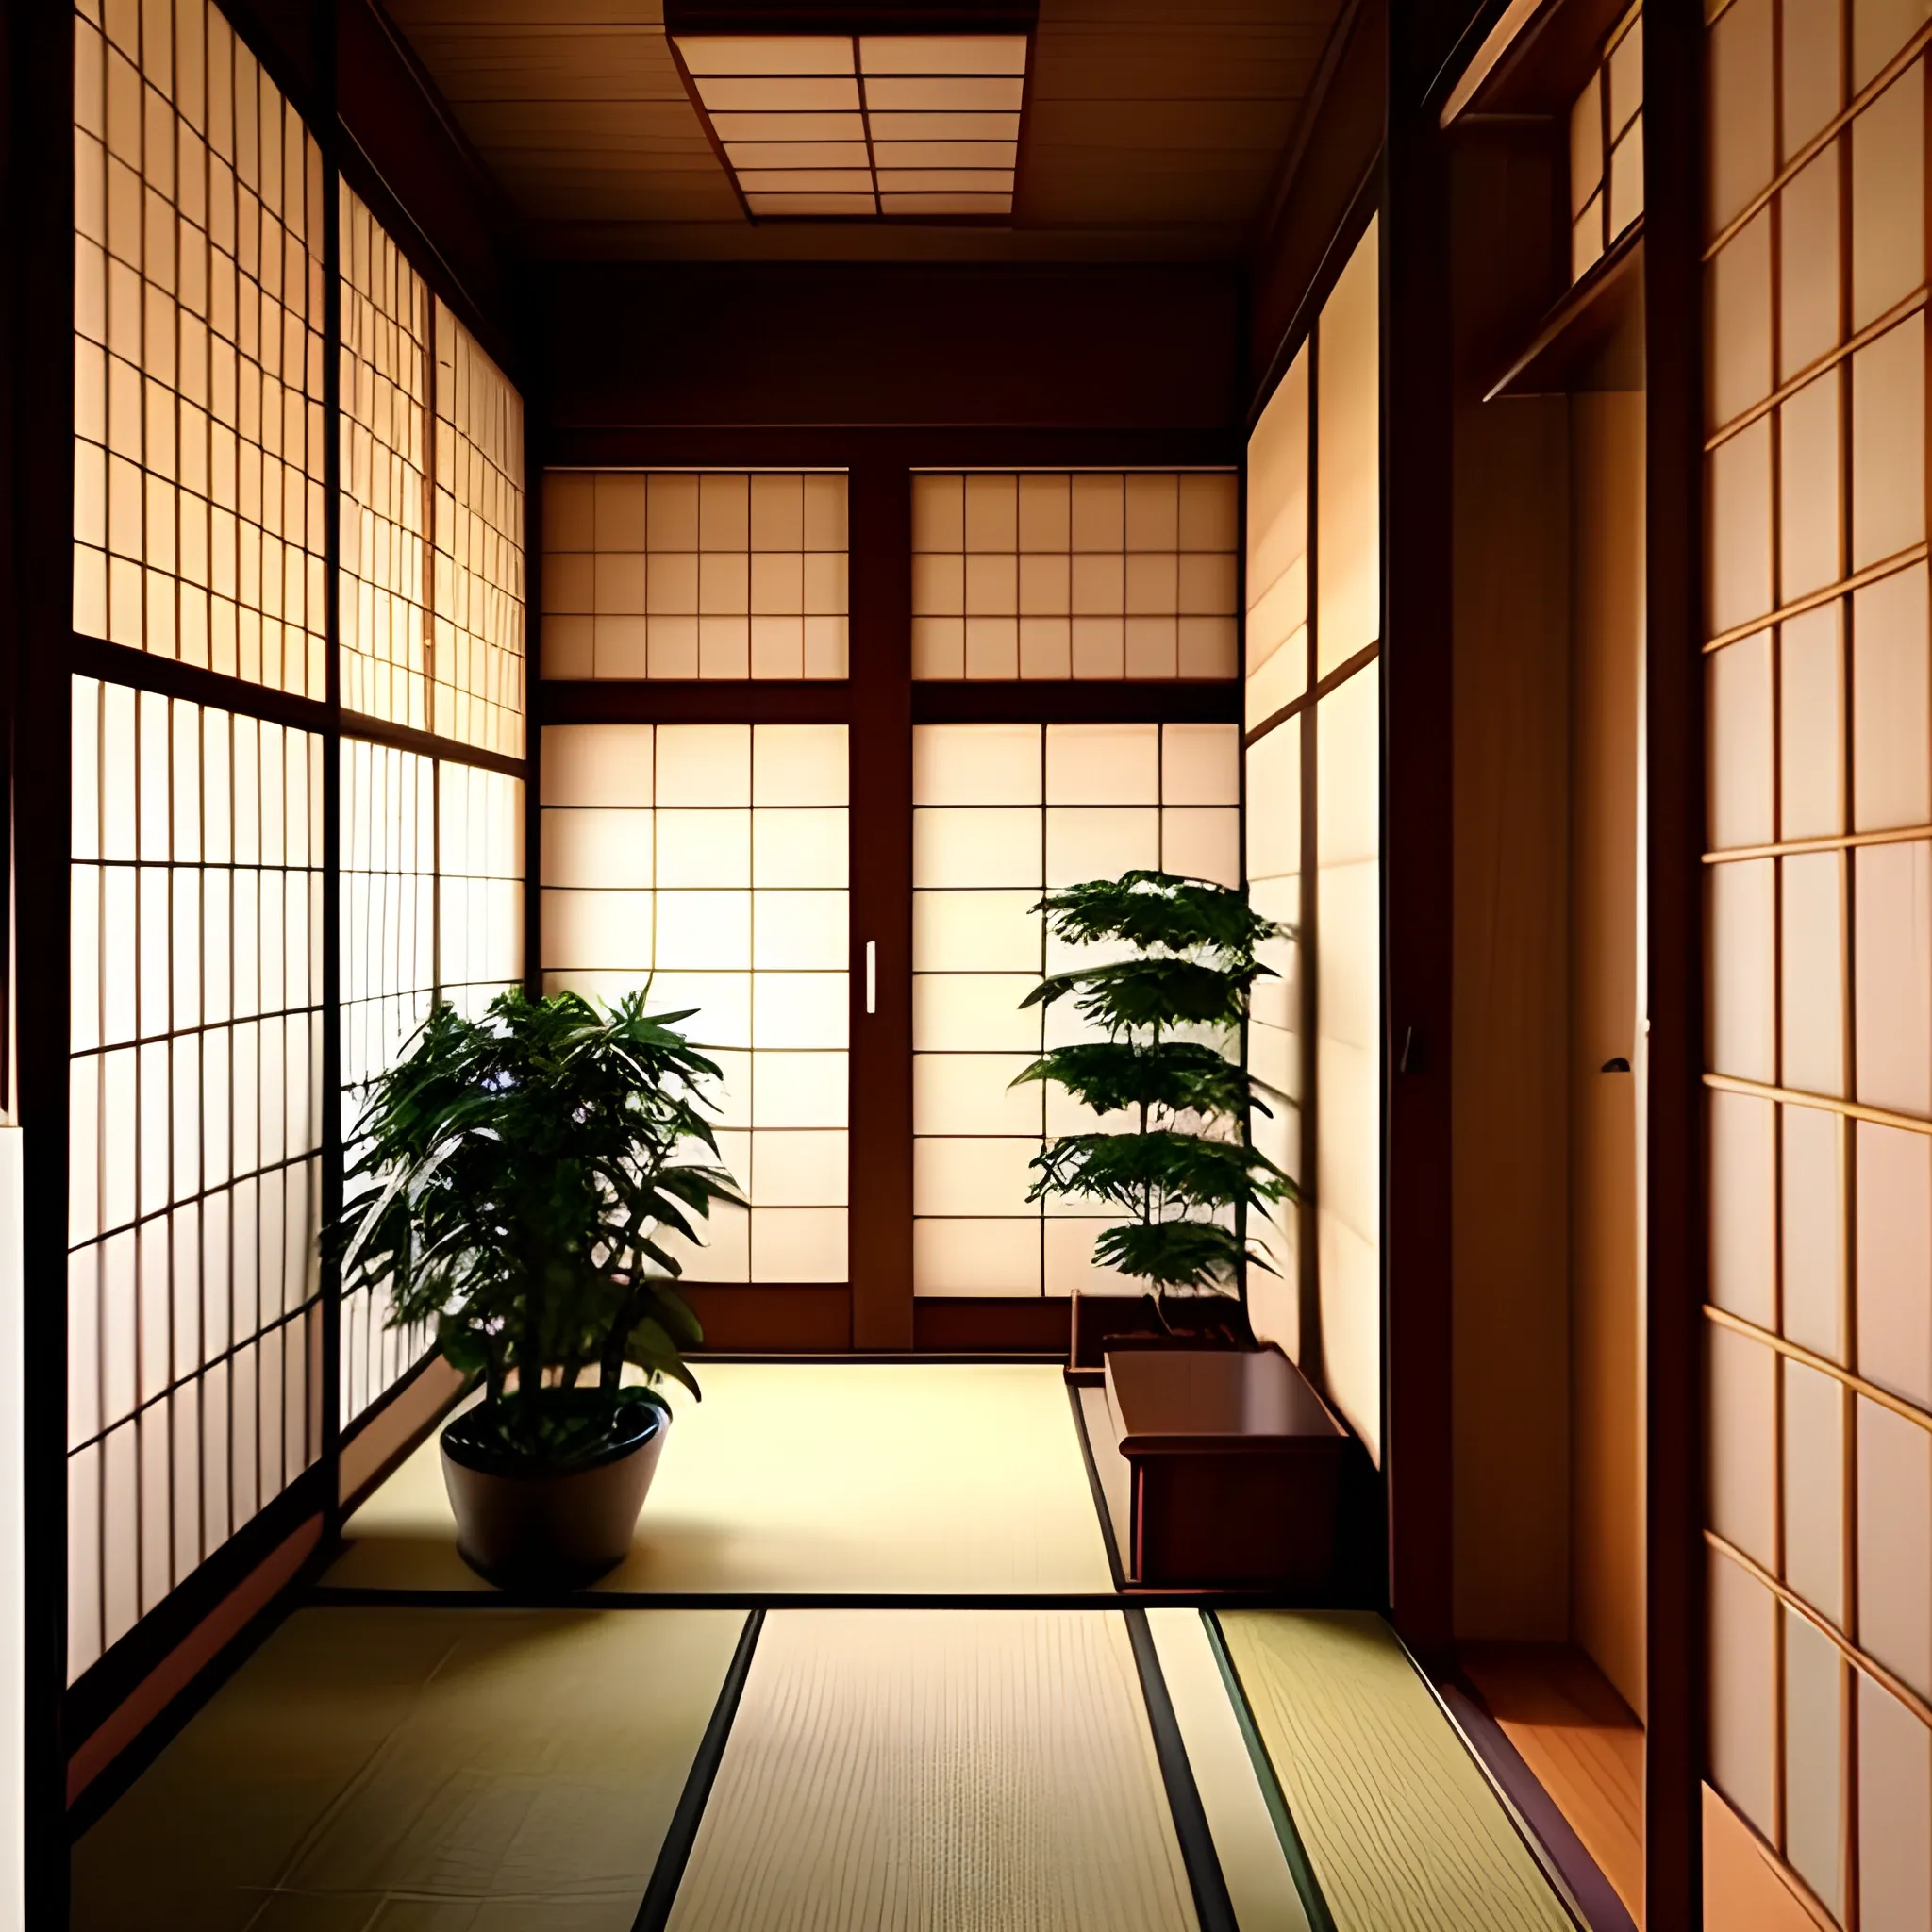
(206,1011)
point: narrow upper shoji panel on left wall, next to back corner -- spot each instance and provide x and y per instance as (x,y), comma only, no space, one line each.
(478,521)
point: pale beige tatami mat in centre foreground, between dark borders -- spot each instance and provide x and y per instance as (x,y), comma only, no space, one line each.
(942,1771)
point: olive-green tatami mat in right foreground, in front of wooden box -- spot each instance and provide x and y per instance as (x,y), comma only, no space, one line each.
(1400,1825)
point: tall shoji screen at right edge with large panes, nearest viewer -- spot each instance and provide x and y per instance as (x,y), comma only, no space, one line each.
(1819,950)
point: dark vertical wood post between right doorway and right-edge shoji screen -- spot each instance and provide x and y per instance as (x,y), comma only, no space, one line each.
(1674,1123)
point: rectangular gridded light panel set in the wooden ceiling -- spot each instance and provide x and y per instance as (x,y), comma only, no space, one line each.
(863,127)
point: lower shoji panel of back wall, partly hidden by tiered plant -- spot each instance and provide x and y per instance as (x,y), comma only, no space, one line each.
(1000,812)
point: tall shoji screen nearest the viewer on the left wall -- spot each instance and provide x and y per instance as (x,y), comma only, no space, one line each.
(196,1108)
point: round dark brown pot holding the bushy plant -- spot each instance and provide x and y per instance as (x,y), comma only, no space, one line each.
(534,1529)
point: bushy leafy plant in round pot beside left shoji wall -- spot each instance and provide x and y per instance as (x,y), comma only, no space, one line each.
(513,1179)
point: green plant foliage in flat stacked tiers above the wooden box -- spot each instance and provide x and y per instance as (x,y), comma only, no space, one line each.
(1187,1166)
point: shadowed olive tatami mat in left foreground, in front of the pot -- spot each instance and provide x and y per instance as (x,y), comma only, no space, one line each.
(418,1771)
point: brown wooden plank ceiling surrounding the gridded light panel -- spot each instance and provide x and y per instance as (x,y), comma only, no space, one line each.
(1154,132)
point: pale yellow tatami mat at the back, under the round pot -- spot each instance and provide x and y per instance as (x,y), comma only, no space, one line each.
(818,1479)
